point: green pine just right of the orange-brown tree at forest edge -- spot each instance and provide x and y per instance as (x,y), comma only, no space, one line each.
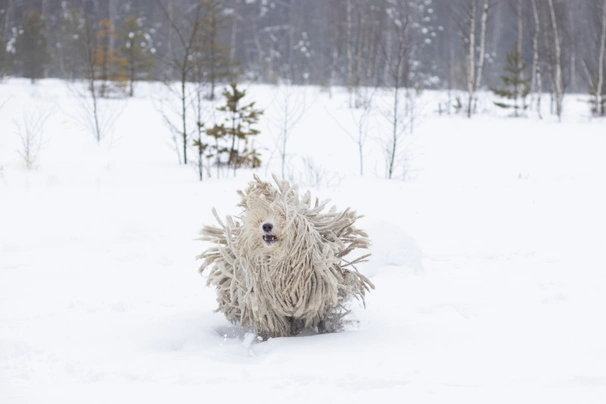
(136,51)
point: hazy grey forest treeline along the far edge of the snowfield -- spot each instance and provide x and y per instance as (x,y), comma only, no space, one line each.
(443,44)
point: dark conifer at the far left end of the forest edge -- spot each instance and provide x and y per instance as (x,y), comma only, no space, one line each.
(31,53)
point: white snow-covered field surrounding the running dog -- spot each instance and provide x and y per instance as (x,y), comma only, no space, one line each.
(488,259)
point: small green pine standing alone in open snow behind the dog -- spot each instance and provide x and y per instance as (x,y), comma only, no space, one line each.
(237,129)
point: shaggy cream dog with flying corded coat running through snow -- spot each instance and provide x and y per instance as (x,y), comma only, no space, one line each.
(280,267)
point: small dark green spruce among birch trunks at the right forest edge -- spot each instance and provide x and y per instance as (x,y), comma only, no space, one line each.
(514,88)
